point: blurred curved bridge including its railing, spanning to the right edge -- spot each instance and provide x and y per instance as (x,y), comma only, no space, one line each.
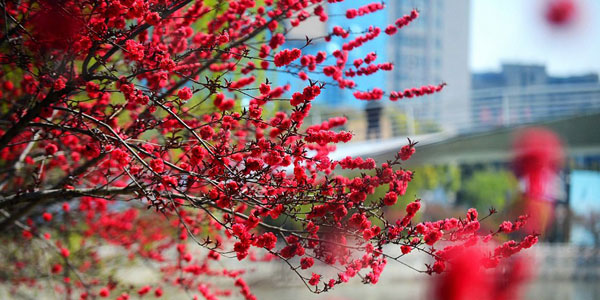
(484,132)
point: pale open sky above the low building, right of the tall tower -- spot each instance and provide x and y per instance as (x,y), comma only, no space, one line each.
(515,31)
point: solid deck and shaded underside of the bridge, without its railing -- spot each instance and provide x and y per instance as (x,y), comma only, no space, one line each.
(580,135)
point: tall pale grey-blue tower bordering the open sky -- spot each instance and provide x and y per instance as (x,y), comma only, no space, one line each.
(433,49)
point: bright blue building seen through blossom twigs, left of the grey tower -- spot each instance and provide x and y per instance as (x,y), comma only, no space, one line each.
(333,101)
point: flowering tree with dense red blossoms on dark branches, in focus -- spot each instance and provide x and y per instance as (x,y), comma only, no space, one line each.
(122,125)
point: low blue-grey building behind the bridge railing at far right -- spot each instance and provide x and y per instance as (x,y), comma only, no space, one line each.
(521,94)
